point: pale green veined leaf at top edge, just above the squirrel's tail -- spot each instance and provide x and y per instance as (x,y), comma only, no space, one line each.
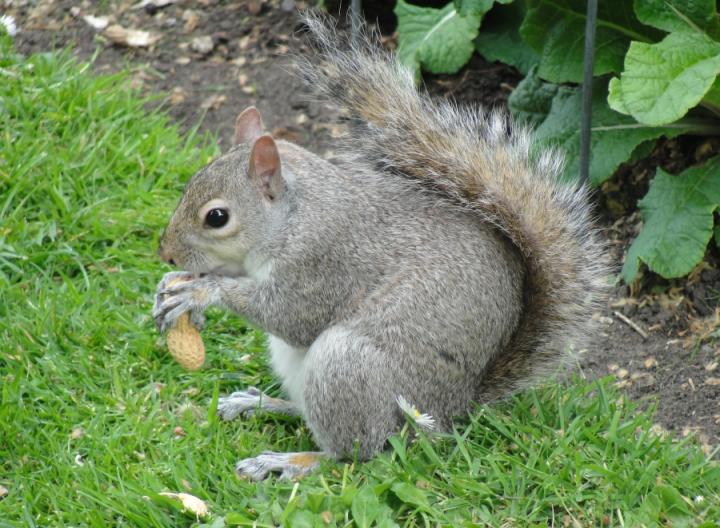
(439,40)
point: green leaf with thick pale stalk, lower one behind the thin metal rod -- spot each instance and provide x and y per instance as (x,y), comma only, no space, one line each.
(613,137)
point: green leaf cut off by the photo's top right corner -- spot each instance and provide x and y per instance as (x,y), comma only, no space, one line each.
(679,15)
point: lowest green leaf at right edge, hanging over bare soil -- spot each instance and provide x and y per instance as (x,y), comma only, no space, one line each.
(677,221)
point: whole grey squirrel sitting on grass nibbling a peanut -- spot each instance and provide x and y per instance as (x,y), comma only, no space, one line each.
(438,261)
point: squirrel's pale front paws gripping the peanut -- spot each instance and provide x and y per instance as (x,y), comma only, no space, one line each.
(179,292)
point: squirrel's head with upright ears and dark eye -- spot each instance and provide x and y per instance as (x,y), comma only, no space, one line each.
(229,206)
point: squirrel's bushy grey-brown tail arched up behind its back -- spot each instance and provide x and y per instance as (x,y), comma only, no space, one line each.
(482,162)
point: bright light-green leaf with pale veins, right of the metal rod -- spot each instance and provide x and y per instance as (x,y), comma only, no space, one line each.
(662,81)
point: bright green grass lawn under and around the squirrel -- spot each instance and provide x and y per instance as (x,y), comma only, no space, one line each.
(91,401)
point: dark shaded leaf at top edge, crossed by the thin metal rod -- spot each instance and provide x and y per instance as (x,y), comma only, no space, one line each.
(556,30)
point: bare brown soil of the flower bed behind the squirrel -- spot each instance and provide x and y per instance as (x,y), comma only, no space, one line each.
(213,58)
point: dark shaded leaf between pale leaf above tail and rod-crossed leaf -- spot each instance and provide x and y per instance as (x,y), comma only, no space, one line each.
(499,38)
